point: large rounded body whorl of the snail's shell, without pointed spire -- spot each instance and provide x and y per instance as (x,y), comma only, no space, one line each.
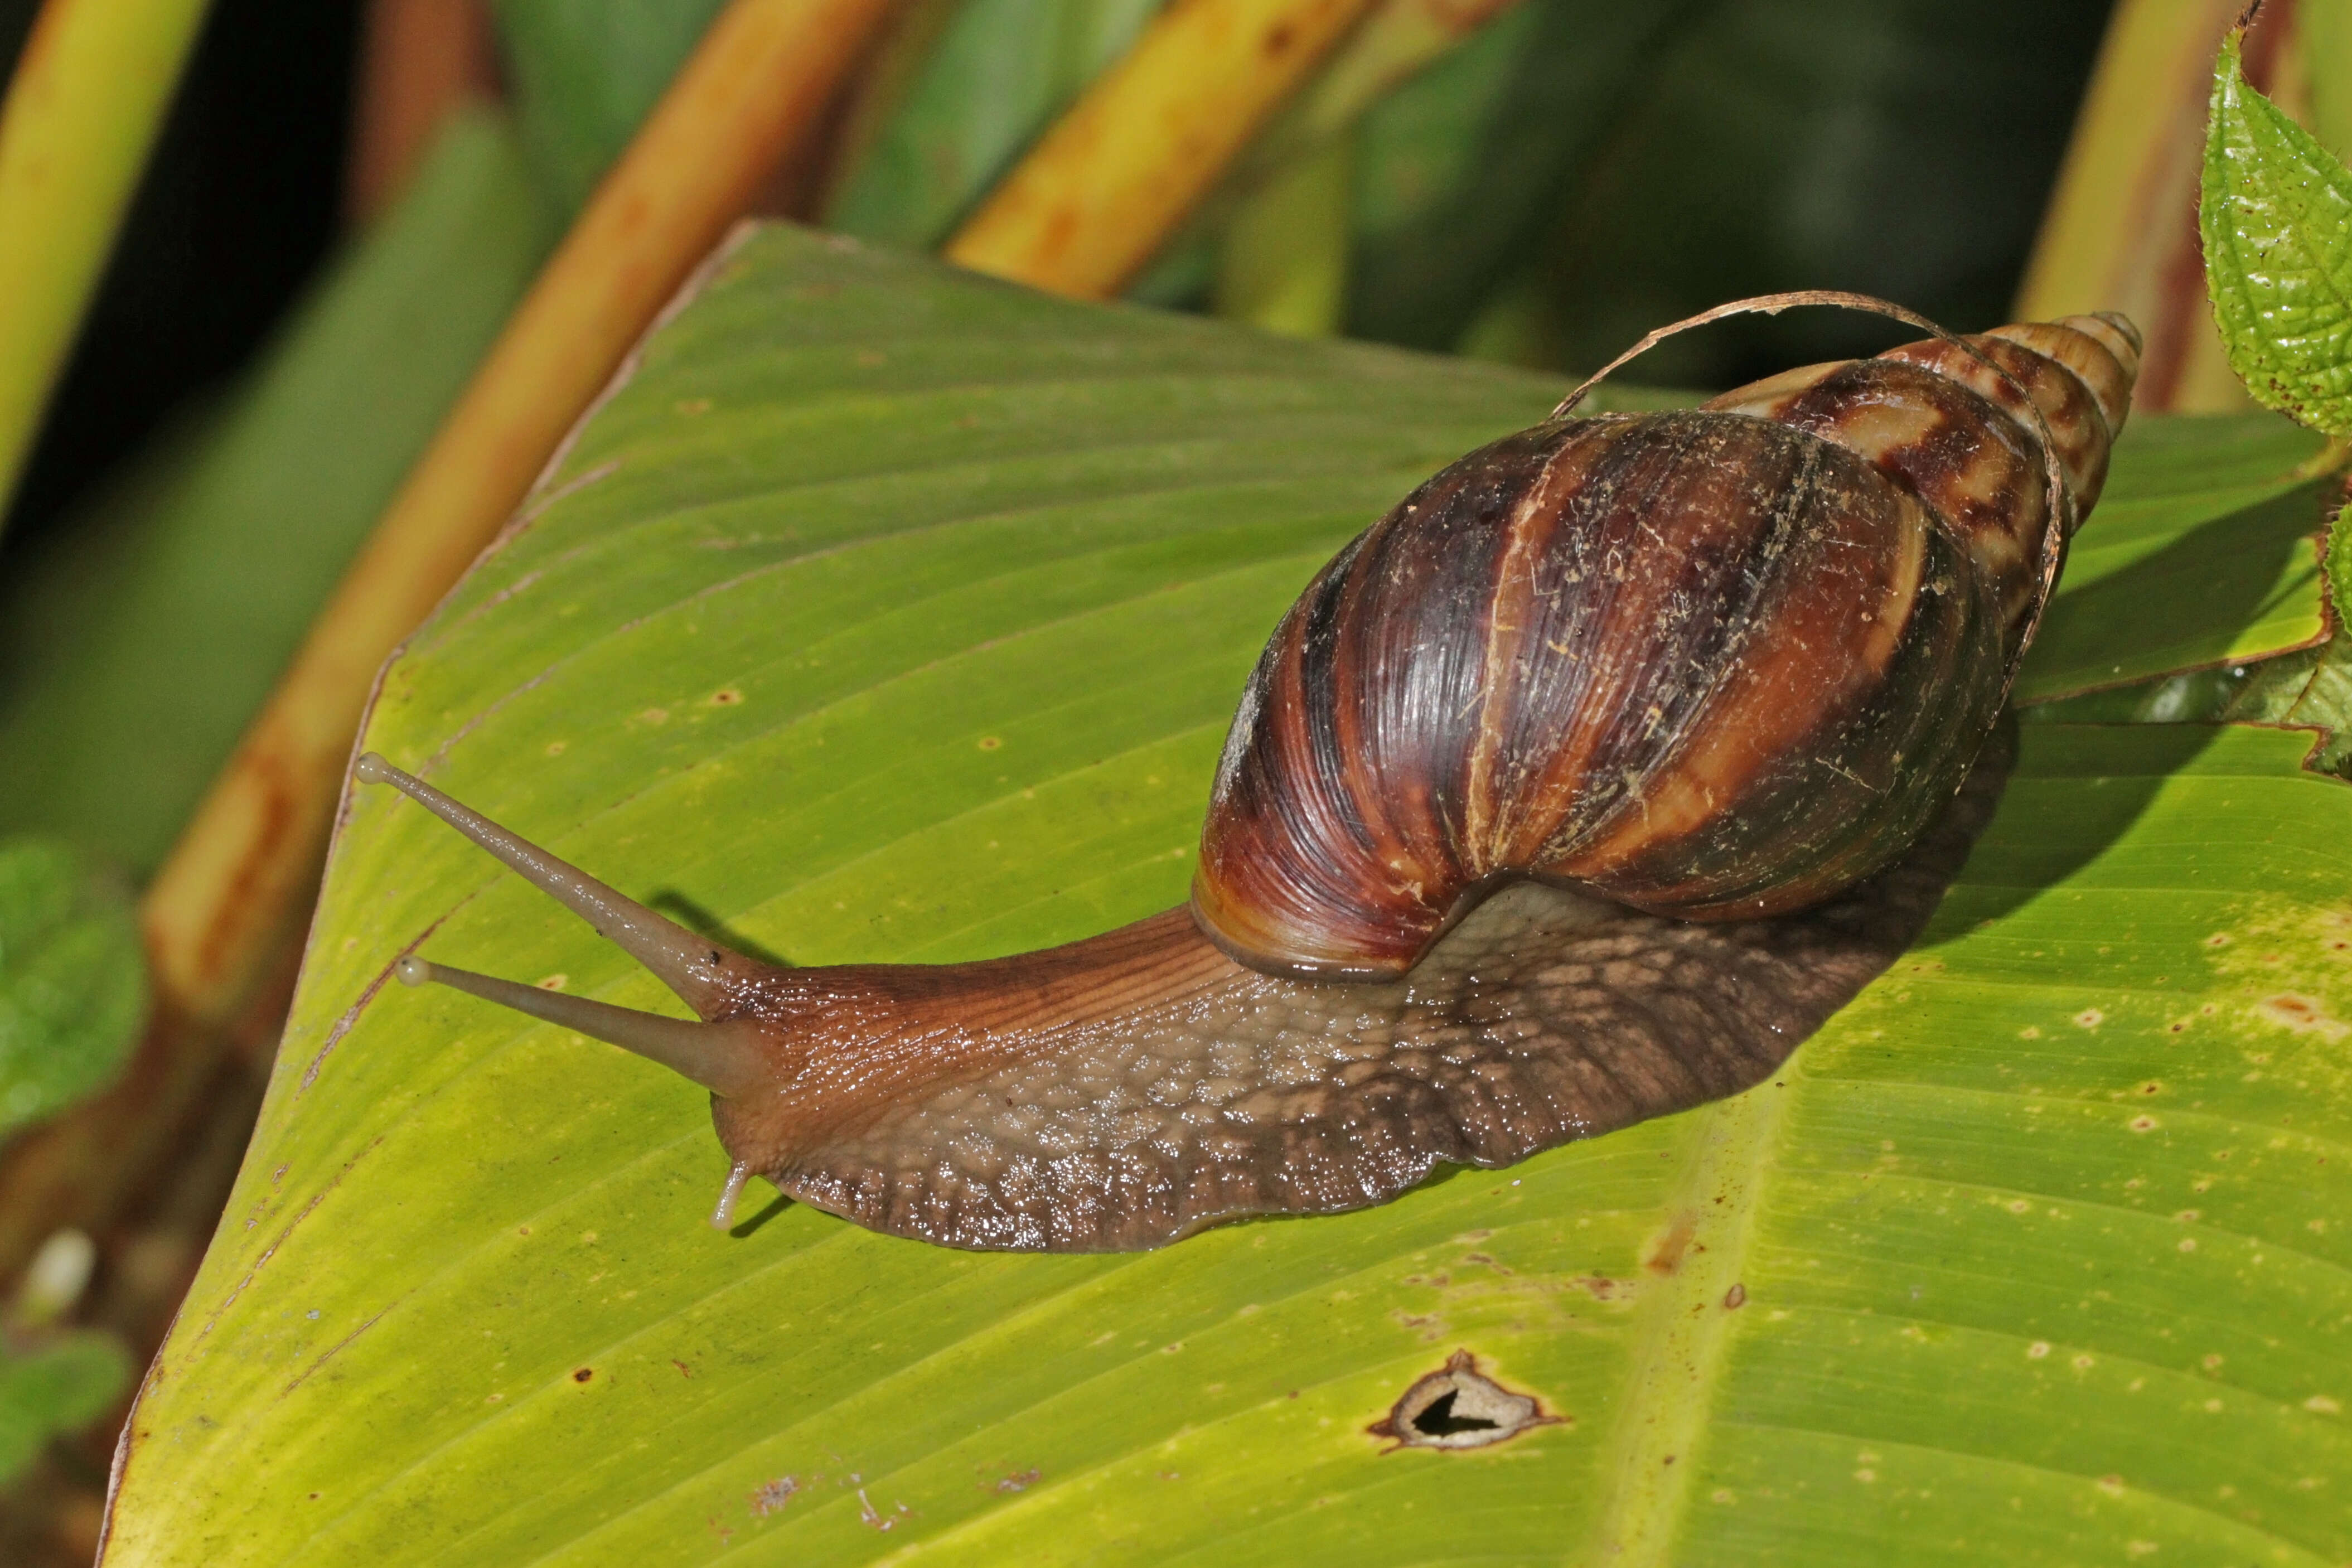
(1695,598)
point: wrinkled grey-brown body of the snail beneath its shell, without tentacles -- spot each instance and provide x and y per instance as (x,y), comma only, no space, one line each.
(1189,1090)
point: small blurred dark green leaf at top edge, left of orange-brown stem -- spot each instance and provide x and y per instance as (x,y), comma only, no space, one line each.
(584,74)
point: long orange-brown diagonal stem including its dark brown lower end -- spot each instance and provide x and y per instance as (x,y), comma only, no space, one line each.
(232,897)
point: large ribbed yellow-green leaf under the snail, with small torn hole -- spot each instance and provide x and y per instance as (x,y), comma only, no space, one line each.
(897,615)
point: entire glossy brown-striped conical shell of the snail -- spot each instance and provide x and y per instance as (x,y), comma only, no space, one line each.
(1706,664)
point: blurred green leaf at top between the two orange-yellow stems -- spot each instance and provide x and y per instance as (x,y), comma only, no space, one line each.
(996,79)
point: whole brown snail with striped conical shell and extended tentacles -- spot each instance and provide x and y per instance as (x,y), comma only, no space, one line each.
(1575,791)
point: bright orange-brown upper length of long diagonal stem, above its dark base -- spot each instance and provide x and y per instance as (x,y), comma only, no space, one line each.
(742,102)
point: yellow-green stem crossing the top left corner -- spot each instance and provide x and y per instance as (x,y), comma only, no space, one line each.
(81,116)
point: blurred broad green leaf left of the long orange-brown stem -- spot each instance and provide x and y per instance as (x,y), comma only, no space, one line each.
(138,652)
